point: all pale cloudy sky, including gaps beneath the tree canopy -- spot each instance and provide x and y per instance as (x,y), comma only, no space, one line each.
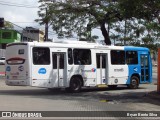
(24,12)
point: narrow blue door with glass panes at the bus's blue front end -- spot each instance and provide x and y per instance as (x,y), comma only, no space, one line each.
(144,68)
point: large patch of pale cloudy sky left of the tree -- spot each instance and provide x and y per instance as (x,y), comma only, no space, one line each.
(21,16)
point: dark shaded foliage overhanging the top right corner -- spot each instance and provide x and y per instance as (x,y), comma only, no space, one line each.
(140,9)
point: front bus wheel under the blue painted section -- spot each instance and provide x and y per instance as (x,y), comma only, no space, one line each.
(134,82)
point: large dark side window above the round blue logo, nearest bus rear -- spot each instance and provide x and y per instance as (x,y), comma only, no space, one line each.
(41,56)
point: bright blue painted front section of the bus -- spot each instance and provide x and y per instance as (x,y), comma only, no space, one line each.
(143,69)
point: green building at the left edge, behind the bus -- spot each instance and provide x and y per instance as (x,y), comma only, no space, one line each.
(8,36)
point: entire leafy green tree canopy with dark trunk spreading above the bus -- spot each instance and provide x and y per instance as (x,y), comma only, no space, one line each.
(128,21)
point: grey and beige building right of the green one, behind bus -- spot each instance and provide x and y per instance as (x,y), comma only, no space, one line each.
(30,34)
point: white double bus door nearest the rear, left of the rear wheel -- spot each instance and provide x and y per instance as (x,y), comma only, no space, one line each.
(59,74)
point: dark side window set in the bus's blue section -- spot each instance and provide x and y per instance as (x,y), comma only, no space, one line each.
(131,57)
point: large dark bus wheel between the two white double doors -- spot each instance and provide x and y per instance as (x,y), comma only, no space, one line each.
(75,84)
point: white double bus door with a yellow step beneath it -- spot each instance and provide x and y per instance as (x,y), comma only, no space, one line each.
(102,68)
